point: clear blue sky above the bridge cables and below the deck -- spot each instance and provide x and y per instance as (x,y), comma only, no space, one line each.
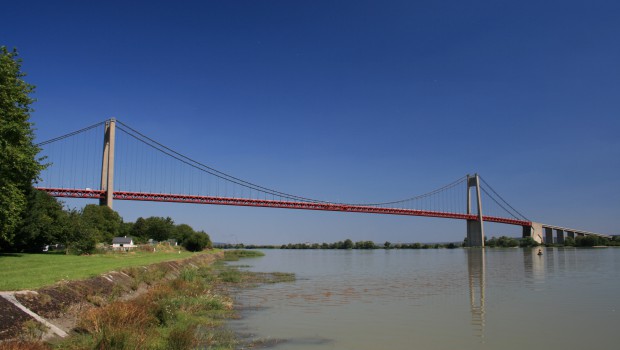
(345,101)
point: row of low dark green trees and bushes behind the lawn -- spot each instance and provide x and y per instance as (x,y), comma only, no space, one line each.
(46,222)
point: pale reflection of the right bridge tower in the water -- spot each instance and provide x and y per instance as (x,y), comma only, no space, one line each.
(476,266)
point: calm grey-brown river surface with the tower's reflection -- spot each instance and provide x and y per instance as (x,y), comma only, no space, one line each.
(437,299)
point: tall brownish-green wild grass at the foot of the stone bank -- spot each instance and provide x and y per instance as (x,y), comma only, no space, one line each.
(182,313)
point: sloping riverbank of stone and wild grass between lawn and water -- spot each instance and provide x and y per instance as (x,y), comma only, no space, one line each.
(172,305)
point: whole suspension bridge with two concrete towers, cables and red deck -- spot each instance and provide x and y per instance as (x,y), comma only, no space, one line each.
(136,167)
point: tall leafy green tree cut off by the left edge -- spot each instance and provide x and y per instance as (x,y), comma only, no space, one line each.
(19,165)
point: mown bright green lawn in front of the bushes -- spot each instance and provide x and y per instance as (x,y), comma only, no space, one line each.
(31,271)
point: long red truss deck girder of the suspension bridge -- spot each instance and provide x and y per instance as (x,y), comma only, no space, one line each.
(179,198)
